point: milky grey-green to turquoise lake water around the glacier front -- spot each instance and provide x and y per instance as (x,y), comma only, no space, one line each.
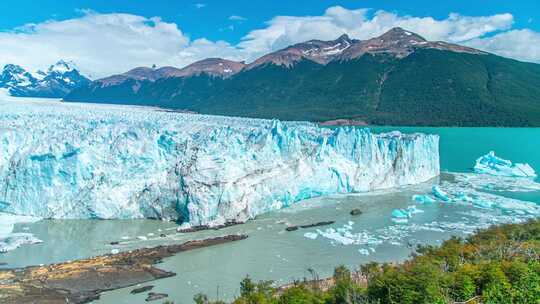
(271,253)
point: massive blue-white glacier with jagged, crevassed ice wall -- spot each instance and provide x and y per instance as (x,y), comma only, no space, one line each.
(93,161)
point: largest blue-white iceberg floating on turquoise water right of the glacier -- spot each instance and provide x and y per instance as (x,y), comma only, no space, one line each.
(491,164)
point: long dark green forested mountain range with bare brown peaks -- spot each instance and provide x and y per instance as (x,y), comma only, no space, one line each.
(398,78)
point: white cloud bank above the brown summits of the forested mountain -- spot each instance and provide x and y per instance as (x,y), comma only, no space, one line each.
(285,30)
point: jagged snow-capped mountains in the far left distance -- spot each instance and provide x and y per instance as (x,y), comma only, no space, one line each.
(59,79)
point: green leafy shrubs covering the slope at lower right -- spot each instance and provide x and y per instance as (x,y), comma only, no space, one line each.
(500,265)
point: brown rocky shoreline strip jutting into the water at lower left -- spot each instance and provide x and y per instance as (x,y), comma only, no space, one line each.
(84,280)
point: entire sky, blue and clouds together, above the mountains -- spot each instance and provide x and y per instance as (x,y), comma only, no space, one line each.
(107,37)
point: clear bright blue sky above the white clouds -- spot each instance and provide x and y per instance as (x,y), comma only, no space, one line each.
(212,20)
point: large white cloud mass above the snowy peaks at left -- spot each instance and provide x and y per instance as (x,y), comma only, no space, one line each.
(100,44)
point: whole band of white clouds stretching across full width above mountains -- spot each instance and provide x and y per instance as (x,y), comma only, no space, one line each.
(103,44)
